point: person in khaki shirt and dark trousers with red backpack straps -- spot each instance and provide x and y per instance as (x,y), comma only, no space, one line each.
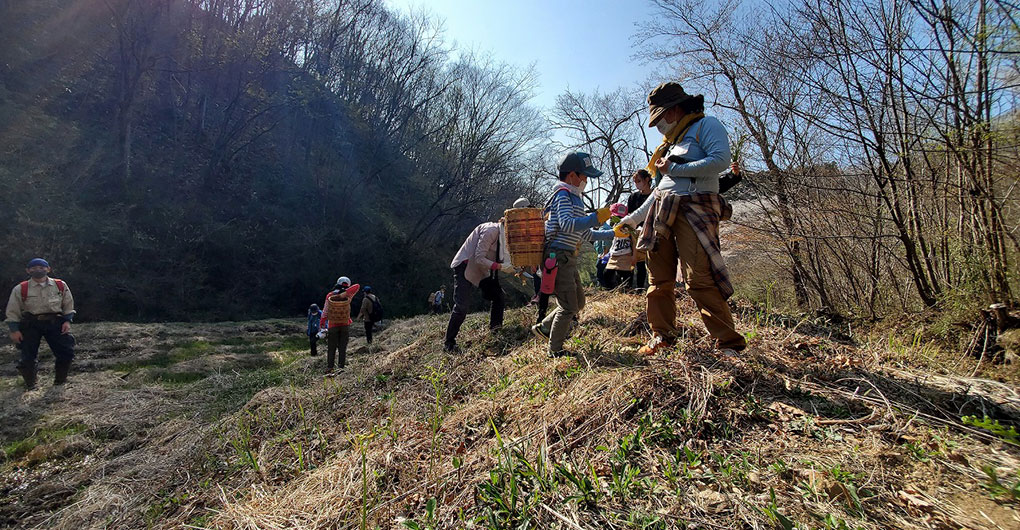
(42,307)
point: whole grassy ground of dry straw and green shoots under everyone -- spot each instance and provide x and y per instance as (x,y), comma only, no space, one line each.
(209,427)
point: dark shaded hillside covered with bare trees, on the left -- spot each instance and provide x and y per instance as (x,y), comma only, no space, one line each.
(226,160)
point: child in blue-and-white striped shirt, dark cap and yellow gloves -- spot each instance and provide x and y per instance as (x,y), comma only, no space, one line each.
(567,227)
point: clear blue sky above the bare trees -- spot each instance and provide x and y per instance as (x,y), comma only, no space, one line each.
(581,45)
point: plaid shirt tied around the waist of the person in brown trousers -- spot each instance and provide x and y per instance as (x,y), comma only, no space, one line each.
(703,211)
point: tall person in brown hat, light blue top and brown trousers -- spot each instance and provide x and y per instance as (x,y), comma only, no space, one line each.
(682,220)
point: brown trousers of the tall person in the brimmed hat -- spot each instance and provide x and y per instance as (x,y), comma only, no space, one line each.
(662,268)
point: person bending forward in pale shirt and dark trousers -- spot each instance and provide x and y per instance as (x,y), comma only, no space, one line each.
(477,266)
